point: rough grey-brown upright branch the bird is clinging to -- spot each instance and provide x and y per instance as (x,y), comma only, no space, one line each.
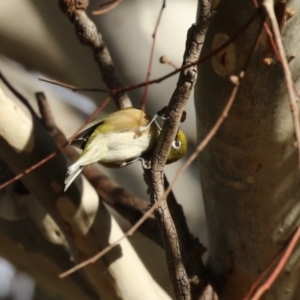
(195,39)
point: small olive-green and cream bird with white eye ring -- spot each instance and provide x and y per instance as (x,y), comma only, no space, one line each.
(119,139)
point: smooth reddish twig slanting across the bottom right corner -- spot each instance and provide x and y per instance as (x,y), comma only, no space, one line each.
(279,267)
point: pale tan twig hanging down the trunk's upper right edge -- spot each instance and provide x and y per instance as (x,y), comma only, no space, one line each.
(268,4)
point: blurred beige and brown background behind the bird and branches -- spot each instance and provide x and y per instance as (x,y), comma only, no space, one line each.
(36,39)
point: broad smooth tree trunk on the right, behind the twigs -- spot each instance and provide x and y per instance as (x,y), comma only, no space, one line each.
(249,171)
